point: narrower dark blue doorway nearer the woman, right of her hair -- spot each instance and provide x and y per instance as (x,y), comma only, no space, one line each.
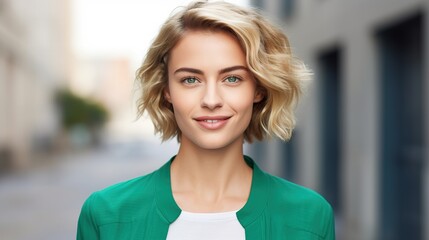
(330,105)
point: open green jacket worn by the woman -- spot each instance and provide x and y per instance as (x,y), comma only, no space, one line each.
(143,208)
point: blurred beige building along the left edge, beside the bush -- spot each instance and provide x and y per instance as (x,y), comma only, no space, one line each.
(34,55)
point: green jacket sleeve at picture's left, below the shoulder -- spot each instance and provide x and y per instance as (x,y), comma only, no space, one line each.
(87,228)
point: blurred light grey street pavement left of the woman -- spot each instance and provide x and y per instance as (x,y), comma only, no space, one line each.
(44,203)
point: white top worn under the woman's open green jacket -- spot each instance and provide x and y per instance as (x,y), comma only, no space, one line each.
(207,226)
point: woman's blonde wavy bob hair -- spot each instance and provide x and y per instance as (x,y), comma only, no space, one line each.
(277,72)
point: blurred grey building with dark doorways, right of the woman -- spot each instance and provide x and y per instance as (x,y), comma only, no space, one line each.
(362,134)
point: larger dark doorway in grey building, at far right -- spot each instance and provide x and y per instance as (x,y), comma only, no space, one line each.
(401,60)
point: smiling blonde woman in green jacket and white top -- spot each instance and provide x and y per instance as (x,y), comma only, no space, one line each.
(216,75)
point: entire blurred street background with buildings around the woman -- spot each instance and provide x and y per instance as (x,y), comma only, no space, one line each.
(68,122)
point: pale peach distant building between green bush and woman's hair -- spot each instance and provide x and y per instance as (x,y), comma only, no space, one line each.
(108,80)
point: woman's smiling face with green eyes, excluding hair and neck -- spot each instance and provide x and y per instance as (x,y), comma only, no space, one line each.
(211,90)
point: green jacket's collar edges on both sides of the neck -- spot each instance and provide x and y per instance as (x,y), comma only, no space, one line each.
(253,208)
